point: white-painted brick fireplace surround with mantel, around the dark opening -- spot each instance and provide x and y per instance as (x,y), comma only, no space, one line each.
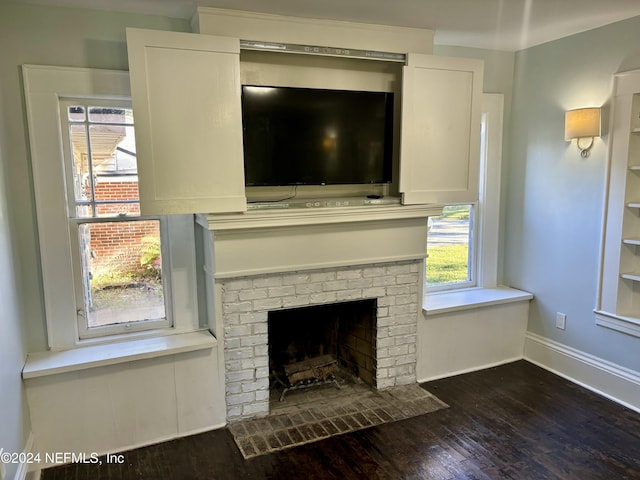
(266,261)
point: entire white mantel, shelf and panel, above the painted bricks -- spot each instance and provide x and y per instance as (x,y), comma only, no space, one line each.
(267,241)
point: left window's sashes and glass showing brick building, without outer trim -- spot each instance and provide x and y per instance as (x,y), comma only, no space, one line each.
(117,253)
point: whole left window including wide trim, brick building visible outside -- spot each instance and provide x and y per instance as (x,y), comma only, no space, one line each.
(108,273)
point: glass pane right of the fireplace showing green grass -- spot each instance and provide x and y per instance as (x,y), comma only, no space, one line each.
(448,246)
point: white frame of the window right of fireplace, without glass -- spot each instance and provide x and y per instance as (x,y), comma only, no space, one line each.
(486,222)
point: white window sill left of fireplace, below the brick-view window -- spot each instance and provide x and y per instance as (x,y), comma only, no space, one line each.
(50,363)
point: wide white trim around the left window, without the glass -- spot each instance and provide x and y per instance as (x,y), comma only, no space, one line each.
(44,87)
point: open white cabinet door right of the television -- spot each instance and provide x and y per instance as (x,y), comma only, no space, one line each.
(440,139)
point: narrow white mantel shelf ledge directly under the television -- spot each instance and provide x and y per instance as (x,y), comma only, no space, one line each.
(299,217)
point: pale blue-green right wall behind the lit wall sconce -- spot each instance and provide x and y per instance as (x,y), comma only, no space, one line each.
(555,198)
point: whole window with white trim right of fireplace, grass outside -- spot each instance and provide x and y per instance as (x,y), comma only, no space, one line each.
(462,243)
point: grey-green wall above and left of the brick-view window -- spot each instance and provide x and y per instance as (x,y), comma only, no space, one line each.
(50,36)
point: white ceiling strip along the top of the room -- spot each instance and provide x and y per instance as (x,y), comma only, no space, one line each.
(495,24)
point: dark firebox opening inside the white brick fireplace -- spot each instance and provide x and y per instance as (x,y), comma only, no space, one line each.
(344,332)
